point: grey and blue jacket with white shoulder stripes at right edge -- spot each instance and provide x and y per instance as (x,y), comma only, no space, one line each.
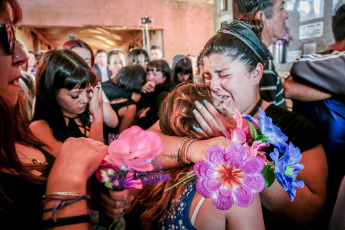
(325,71)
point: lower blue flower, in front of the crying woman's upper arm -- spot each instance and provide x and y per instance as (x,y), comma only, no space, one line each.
(286,169)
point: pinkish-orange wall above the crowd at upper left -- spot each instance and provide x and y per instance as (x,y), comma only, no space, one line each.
(185,25)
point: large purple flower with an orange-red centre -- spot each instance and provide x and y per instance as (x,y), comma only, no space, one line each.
(229,176)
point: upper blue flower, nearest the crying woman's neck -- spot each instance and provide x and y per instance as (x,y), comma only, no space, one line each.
(272,132)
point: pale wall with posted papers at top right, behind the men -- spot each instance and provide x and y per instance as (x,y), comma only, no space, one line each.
(297,20)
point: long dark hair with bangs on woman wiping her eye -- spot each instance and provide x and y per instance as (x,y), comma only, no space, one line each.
(58,69)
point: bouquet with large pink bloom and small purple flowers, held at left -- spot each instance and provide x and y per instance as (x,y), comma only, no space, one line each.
(128,162)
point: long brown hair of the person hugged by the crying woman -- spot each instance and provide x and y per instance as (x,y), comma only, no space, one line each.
(176,119)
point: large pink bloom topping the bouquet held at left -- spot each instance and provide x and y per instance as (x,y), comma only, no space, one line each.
(135,148)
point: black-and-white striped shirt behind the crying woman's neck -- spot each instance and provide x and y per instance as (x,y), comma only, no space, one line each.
(271,87)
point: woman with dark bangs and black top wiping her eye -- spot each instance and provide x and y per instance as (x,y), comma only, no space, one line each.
(63,100)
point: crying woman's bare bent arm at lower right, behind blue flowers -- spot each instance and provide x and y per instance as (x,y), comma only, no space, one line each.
(309,200)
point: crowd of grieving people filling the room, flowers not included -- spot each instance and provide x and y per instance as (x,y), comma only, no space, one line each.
(60,110)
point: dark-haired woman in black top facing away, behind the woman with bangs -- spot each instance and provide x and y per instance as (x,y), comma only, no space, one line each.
(130,79)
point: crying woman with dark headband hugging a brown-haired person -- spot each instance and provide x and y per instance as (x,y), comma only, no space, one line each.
(233,65)
